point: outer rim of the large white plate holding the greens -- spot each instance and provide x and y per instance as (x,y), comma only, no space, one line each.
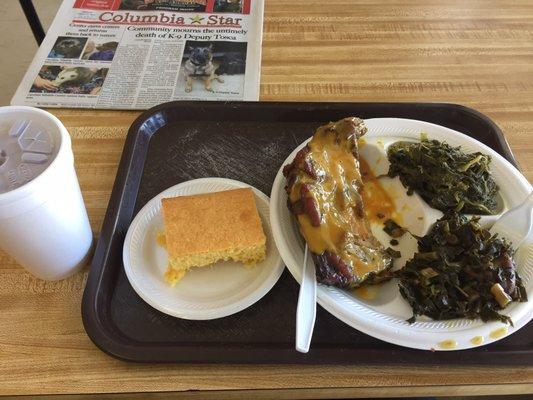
(340,312)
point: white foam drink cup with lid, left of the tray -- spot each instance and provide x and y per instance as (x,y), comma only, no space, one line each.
(43,220)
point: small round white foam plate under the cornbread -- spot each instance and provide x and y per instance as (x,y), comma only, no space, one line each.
(203,293)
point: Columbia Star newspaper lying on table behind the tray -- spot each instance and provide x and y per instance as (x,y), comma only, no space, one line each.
(134,54)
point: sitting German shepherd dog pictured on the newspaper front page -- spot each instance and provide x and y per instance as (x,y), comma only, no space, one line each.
(199,65)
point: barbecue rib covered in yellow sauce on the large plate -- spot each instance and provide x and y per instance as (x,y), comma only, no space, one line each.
(324,193)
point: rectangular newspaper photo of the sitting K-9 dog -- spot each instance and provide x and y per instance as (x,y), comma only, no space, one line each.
(216,67)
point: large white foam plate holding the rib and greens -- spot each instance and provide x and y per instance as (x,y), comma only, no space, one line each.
(384,316)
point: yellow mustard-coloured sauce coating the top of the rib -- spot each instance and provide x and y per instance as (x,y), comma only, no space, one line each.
(337,191)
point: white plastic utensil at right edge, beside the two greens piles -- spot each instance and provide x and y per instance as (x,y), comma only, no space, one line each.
(516,224)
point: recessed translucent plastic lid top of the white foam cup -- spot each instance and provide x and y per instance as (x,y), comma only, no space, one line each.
(26,150)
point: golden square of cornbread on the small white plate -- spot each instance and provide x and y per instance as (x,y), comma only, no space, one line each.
(203,229)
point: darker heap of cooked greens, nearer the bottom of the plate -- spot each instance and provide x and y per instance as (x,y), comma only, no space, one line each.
(461,270)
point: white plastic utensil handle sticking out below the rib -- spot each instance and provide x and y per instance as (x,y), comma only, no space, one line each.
(306,310)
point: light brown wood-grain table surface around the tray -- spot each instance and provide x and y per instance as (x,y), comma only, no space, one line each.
(477,53)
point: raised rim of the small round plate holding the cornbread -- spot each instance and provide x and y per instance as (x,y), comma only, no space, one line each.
(202,315)
